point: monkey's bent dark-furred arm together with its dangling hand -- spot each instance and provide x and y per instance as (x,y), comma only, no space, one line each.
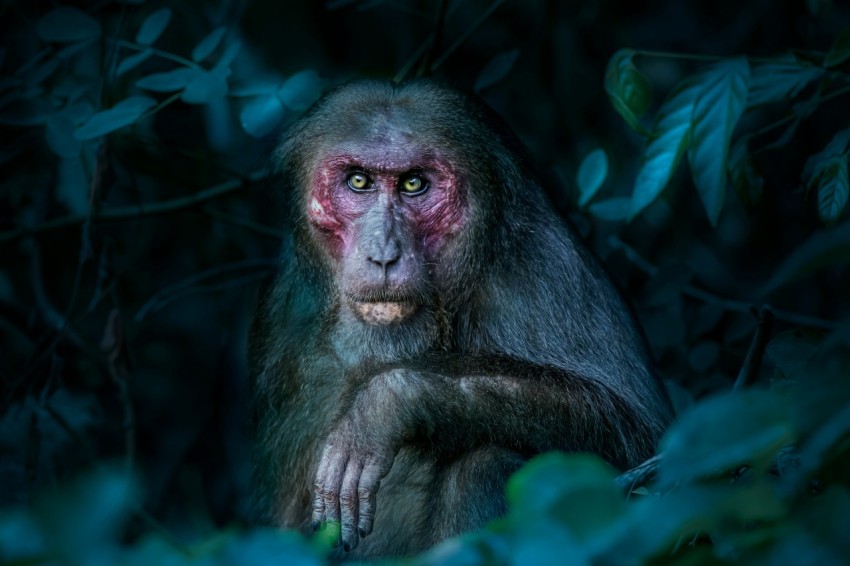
(456,404)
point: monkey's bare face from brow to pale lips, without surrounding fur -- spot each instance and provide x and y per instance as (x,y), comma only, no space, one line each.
(386,207)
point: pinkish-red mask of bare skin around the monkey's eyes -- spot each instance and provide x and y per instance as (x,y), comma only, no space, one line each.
(433,216)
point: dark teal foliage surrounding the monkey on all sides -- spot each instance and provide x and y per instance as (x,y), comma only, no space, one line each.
(136,224)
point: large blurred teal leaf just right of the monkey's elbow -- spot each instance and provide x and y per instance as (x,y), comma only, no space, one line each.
(724,432)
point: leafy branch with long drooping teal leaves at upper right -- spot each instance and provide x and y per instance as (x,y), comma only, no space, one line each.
(699,119)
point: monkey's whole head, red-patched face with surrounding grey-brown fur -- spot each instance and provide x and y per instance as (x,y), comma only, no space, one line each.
(394,183)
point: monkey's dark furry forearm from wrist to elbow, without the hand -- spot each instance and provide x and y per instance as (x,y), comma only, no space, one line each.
(516,405)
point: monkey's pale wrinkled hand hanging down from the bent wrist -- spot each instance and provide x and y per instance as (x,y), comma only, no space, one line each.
(359,453)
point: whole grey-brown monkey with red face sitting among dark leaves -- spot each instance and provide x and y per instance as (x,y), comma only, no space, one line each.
(432,325)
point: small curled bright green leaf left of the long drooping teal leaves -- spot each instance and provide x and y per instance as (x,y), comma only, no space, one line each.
(629,91)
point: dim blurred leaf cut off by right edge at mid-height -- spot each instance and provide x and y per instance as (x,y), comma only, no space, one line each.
(827,248)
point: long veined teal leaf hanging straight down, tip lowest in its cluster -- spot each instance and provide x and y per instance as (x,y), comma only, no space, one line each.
(717,110)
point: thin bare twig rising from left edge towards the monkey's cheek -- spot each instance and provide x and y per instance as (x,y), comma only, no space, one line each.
(136,211)
